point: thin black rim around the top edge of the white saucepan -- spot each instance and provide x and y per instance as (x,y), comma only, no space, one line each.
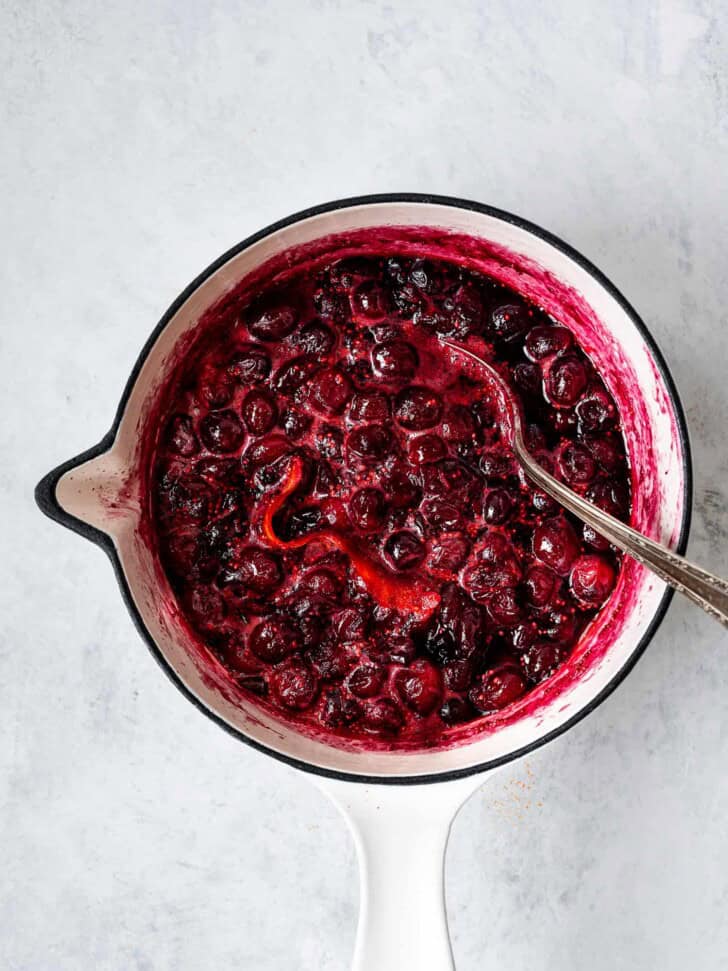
(45,491)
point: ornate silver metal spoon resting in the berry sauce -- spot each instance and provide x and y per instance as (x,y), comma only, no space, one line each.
(703,588)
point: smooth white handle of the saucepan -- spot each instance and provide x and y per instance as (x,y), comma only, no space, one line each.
(401,833)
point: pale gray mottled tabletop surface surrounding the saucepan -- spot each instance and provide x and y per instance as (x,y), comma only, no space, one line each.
(139,141)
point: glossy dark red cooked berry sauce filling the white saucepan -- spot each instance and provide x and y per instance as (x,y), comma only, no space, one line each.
(340,514)
